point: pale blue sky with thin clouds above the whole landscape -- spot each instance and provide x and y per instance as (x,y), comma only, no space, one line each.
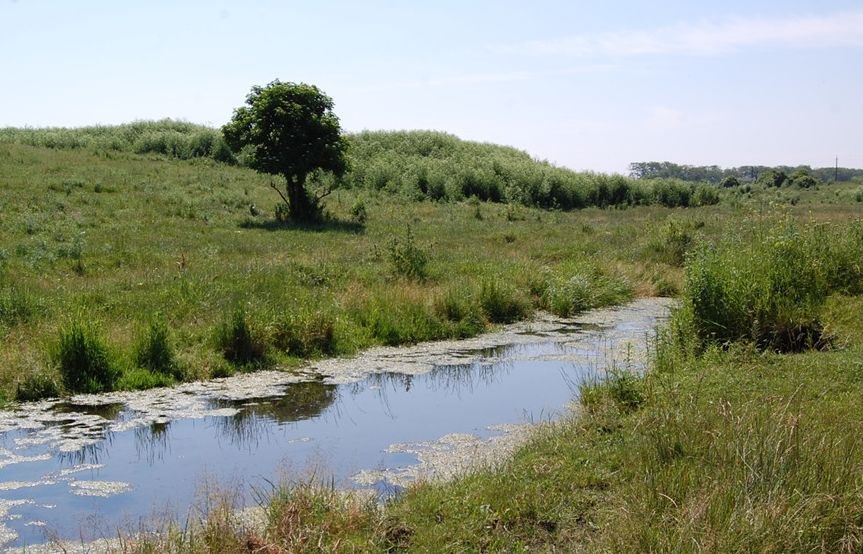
(583,84)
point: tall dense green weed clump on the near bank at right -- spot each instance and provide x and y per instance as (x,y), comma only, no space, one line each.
(770,291)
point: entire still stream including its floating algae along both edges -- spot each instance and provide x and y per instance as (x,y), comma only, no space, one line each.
(81,468)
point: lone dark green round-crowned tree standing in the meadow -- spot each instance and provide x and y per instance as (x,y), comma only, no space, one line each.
(289,129)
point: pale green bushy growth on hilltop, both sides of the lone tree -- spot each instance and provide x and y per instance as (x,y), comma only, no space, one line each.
(416,164)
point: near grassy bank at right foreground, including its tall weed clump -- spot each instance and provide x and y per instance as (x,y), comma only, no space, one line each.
(726,445)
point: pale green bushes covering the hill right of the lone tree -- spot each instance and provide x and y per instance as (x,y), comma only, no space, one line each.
(438,166)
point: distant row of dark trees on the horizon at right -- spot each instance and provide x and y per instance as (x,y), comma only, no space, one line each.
(743,174)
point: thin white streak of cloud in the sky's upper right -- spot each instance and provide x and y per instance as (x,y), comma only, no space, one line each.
(711,37)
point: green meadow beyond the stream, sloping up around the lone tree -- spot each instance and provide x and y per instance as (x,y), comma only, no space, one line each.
(159,269)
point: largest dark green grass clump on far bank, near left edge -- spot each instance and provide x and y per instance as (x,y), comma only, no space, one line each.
(86,363)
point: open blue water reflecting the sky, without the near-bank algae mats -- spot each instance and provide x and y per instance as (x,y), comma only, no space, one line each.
(160,445)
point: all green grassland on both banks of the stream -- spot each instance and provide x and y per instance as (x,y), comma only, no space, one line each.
(145,268)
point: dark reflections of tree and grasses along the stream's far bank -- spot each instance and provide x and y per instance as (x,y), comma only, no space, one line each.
(251,424)
